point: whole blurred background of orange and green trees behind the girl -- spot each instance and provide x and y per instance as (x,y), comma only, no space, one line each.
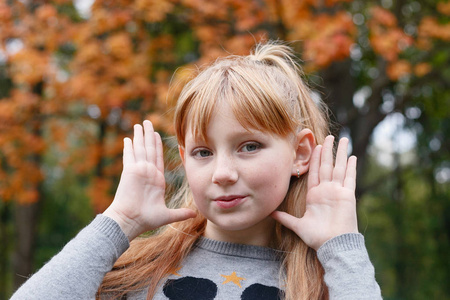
(76,75)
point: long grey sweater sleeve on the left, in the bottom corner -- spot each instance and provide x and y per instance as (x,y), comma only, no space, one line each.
(78,270)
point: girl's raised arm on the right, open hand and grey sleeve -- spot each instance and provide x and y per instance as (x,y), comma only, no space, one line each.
(330,226)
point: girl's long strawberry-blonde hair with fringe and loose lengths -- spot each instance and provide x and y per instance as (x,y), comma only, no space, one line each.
(266,93)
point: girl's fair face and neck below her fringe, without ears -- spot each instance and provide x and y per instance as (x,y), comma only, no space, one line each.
(238,178)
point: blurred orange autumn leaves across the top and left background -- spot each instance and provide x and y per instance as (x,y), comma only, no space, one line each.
(72,76)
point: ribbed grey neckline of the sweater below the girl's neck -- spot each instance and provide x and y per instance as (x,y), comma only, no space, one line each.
(241,250)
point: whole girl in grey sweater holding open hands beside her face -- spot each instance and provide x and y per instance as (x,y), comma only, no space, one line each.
(264,212)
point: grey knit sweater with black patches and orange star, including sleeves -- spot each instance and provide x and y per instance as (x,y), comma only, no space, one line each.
(213,270)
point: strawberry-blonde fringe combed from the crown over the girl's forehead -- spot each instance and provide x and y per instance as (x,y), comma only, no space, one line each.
(255,104)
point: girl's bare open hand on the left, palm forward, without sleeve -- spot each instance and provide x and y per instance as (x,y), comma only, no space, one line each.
(139,203)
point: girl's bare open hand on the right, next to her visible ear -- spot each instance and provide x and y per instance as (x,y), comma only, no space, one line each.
(330,201)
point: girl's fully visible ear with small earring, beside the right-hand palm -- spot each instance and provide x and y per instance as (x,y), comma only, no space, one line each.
(306,143)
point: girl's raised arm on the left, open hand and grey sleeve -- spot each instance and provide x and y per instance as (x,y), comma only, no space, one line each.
(138,206)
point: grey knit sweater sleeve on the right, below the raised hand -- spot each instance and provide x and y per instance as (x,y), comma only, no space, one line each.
(349,274)
